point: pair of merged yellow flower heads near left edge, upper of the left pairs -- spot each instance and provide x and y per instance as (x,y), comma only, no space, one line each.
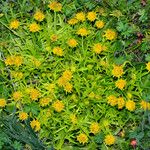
(14,60)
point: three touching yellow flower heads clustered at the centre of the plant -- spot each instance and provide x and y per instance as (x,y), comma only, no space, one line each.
(64,81)
